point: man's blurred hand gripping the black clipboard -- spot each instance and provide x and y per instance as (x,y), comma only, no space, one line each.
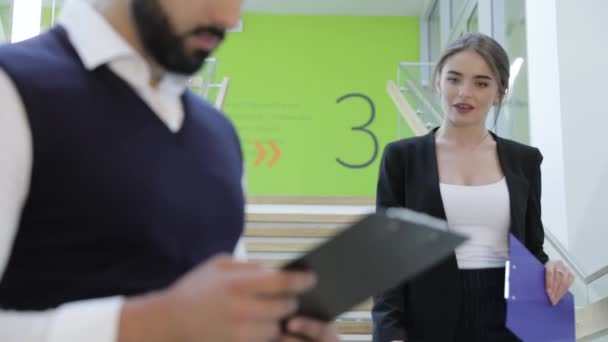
(221,301)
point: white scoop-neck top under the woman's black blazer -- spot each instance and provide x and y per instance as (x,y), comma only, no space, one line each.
(483,214)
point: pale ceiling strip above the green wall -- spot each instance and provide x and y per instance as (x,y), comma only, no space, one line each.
(338,7)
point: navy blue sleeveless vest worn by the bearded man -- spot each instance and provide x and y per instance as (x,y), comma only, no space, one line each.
(118,204)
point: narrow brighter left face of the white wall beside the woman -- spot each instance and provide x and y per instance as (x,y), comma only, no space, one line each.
(545,111)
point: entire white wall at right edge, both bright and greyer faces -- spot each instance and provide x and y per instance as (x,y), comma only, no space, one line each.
(568,76)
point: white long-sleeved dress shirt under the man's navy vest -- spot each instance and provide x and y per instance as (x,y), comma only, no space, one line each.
(96,43)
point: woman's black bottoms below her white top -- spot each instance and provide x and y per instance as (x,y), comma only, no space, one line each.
(483,311)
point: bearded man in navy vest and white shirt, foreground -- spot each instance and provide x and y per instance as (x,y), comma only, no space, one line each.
(120,190)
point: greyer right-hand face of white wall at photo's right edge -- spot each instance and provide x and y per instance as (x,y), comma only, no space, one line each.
(583,63)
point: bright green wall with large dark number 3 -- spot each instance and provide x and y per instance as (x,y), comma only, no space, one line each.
(287,73)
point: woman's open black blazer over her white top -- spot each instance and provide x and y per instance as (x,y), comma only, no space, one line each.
(426,309)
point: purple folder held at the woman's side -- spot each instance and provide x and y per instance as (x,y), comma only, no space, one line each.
(530,314)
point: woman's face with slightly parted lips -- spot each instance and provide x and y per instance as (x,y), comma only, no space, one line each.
(468,89)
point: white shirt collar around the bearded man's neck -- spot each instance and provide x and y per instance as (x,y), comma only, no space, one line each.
(97,44)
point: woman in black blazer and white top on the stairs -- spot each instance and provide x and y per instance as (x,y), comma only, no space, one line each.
(485,186)
